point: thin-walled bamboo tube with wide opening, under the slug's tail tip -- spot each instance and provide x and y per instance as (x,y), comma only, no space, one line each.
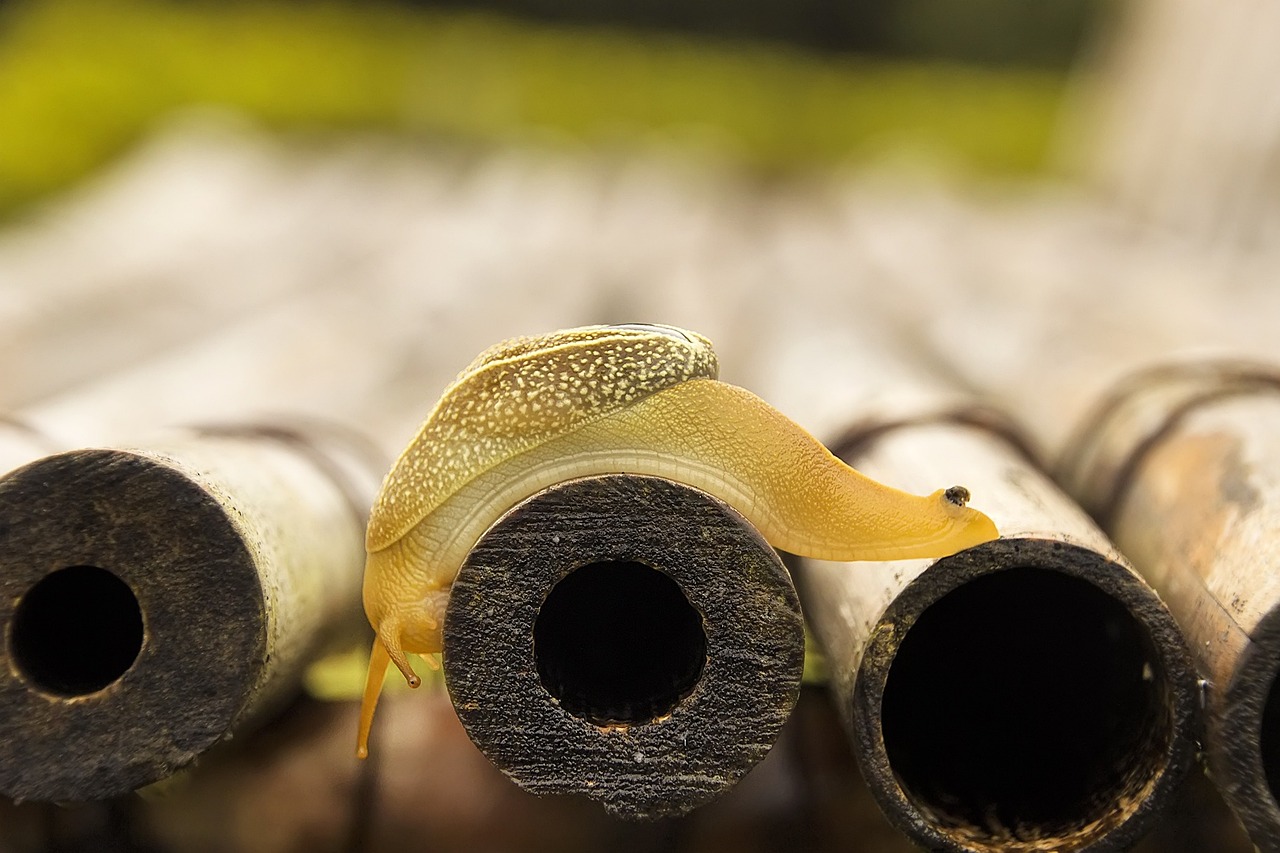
(1031,694)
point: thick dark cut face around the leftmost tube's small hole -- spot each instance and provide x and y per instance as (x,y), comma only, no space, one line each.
(185,623)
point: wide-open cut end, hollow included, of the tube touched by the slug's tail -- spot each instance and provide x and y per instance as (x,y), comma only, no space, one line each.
(1025,708)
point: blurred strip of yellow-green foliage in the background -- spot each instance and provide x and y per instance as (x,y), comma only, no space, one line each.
(84,80)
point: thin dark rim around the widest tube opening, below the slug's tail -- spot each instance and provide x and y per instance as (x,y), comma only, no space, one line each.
(1172,709)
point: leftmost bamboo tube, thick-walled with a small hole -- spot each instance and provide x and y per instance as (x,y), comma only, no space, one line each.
(154,603)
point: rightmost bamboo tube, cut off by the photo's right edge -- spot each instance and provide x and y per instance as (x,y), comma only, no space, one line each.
(1182,464)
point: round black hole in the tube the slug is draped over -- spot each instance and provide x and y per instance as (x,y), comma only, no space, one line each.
(619,642)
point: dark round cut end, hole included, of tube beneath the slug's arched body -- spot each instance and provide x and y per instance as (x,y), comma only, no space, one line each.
(625,638)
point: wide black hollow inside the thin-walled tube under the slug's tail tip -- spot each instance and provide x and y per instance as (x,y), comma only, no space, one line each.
(1026,705)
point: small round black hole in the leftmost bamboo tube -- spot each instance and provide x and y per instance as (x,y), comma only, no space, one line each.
(76,632)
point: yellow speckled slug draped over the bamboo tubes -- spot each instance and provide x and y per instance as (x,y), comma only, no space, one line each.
(534,412)
